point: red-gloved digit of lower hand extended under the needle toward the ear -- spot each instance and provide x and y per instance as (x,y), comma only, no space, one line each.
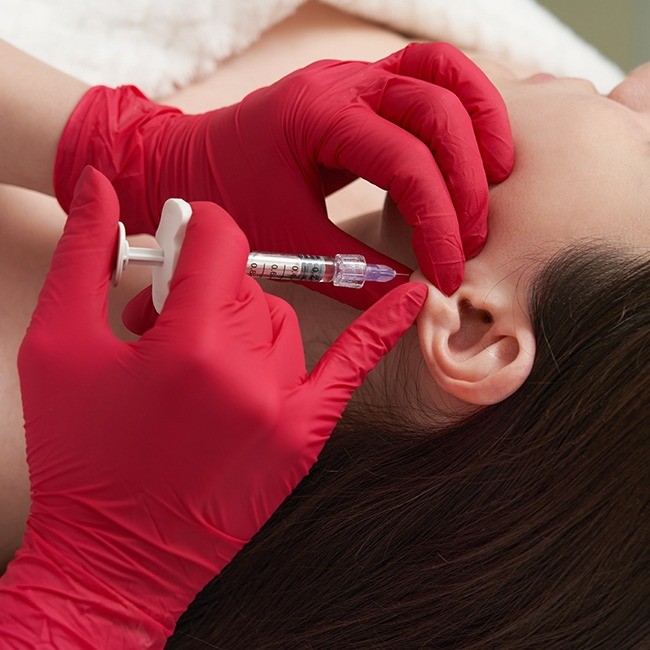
(363,344)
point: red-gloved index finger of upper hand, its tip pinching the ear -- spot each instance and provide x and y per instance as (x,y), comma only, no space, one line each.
(393,159)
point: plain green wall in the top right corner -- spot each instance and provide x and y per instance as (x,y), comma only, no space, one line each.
(620,29)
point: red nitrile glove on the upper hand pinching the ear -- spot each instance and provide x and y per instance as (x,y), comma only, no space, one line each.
(424,123)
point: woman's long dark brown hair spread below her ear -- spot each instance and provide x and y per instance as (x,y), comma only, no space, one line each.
(522,526)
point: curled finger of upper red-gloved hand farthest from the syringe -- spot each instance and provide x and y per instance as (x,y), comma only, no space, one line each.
(444,65)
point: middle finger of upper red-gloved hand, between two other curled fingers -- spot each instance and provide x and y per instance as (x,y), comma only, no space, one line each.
(436,116)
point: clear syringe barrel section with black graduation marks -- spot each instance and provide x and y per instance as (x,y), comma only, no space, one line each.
(275,266)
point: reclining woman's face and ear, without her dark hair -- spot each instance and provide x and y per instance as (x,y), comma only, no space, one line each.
(582,174)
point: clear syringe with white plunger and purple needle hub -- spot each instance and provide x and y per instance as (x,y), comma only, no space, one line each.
(350,271)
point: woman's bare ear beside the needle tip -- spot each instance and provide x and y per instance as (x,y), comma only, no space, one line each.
(478,345)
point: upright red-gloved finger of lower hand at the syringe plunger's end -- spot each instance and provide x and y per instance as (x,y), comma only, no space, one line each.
(75,292)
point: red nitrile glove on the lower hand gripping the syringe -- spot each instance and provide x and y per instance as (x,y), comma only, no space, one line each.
(153,462)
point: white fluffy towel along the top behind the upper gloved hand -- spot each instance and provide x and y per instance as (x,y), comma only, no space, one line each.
(160,45)
